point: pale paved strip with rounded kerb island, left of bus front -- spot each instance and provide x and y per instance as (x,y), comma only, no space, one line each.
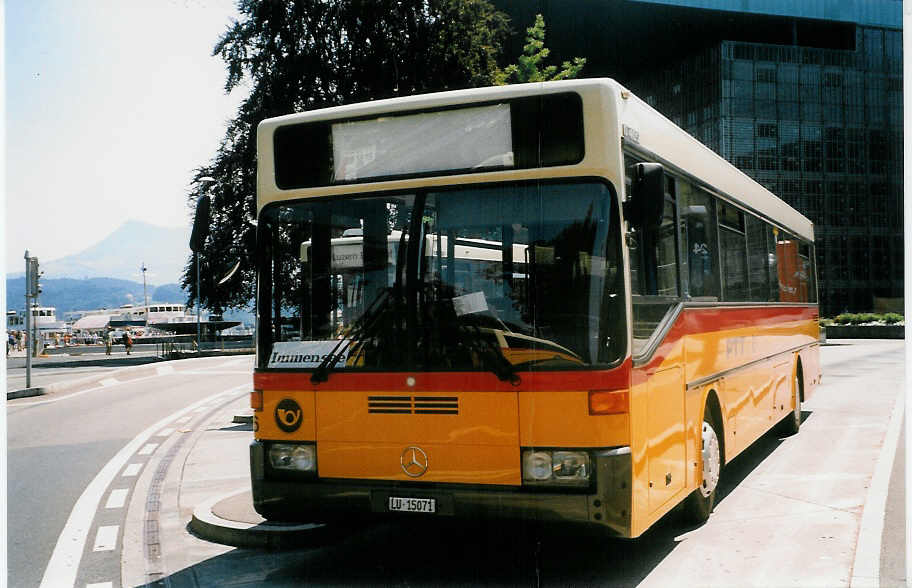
(206,509)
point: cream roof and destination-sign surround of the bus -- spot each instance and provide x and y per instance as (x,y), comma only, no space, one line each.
(621,115)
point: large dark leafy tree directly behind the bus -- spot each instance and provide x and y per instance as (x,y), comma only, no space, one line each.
(308,54)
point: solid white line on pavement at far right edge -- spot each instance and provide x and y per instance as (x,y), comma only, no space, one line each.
(866,568)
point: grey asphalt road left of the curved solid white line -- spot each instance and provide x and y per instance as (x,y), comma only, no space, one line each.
(56,445)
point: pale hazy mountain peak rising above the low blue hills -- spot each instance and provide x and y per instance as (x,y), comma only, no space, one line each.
(120,255)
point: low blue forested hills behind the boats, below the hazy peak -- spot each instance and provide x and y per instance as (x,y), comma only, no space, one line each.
(66,294)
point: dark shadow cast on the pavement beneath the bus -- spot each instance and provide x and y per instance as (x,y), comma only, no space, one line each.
(476,553)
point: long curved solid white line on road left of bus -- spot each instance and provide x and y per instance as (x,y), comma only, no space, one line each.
(64,563)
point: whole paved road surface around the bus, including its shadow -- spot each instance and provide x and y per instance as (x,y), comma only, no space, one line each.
(789,514)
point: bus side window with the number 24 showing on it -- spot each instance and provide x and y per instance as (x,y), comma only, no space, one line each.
(699,222)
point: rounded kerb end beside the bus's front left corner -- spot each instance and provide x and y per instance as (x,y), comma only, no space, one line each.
(206,525)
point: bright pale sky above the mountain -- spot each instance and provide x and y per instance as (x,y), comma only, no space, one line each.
(110,107)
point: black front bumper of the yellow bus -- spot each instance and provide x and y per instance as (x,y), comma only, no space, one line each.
(606,504)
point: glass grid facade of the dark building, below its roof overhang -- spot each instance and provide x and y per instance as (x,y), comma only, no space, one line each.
(821,128)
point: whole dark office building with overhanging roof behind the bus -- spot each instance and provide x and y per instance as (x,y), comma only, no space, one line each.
(806,97)
